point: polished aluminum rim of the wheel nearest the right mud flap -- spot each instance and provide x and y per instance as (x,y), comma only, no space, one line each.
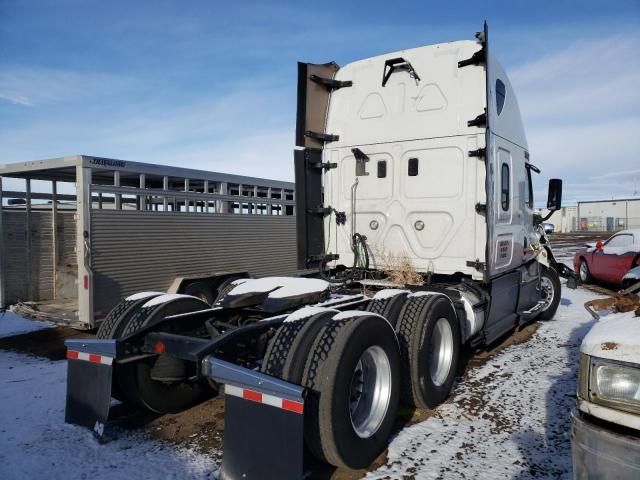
(370,391)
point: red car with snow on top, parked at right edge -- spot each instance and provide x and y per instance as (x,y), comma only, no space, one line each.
(611,260)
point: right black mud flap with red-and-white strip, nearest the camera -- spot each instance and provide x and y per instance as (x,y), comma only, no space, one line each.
(264,424)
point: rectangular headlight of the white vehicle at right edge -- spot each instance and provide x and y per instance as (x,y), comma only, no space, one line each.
(615,384)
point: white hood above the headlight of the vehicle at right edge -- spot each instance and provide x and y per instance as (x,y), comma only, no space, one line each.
(615,338)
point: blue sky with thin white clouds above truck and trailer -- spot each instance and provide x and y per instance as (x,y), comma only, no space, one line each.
(212,84)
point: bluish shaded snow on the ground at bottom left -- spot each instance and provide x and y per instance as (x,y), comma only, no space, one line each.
(35,442)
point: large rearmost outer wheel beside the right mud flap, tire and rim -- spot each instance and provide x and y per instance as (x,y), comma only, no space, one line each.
(353,376)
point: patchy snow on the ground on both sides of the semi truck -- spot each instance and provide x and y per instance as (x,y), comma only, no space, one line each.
(509,418)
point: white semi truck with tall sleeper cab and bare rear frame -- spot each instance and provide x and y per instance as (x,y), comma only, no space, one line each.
(418,154)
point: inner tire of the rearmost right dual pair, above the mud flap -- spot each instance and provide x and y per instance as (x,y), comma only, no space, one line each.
(289,347)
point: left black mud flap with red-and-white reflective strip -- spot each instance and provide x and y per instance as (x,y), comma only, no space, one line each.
(89,380)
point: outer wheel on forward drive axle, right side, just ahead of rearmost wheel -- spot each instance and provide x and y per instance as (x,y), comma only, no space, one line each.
(429,336)
